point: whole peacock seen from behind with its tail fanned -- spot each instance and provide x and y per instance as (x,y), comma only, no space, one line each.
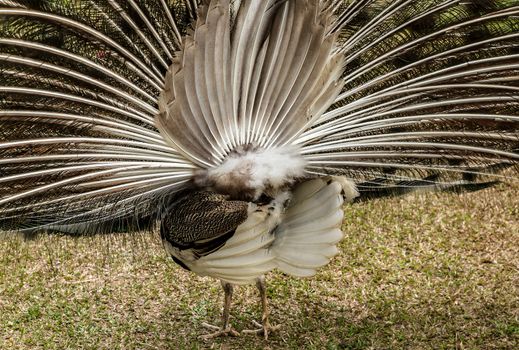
(239,129)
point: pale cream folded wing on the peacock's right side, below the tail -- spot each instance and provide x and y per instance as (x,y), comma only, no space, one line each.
(311,227)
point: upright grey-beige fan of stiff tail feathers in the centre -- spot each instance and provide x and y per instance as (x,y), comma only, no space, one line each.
(277,73)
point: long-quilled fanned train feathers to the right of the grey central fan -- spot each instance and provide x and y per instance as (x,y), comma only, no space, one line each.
(431,94)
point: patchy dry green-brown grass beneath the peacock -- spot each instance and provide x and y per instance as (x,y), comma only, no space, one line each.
(425,271)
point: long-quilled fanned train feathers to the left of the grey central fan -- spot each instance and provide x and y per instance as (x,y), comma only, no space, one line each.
(78,95)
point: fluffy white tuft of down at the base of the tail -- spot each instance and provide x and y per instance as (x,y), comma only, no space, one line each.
(258,171)
